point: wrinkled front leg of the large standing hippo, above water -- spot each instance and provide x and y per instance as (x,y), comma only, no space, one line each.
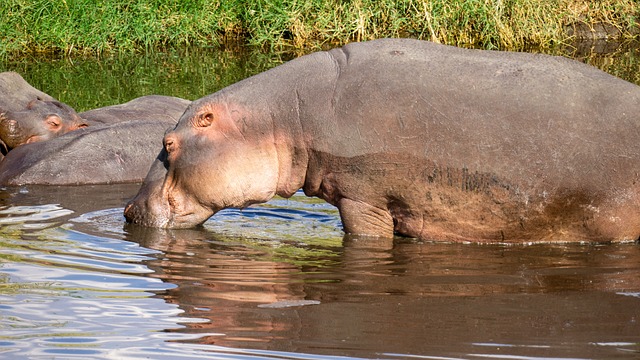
(359,218)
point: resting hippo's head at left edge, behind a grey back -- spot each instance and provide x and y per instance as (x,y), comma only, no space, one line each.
(40,120)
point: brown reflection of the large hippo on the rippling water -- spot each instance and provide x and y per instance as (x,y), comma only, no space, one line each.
(372,297)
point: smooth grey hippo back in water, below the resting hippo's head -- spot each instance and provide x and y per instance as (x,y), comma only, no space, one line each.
(101,154)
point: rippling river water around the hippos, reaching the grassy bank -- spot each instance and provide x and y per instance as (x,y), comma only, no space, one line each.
(279,280)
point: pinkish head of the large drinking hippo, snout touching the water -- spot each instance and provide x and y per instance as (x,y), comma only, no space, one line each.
(218,156)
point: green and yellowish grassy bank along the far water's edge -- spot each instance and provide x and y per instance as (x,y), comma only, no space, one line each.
(95,26)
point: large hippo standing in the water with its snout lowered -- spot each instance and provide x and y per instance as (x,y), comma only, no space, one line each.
(417,139)
